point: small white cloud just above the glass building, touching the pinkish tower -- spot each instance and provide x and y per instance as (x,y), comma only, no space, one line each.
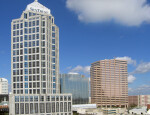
(82,69)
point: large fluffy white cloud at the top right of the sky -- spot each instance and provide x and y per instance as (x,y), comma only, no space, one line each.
(126,12)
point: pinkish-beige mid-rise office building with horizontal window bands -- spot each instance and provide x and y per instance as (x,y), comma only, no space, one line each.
(109,86)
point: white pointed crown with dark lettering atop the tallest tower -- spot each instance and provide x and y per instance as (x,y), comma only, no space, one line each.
(37,7)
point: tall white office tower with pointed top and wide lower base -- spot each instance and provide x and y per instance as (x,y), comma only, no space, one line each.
(35,65)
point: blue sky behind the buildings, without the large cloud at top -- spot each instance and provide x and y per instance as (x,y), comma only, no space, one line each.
(79,40)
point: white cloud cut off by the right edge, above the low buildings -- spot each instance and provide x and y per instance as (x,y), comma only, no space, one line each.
(143,68)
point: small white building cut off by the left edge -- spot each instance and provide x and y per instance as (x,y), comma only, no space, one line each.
(3,86)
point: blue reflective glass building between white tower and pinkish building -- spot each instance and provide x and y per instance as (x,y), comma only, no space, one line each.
(77,85)
